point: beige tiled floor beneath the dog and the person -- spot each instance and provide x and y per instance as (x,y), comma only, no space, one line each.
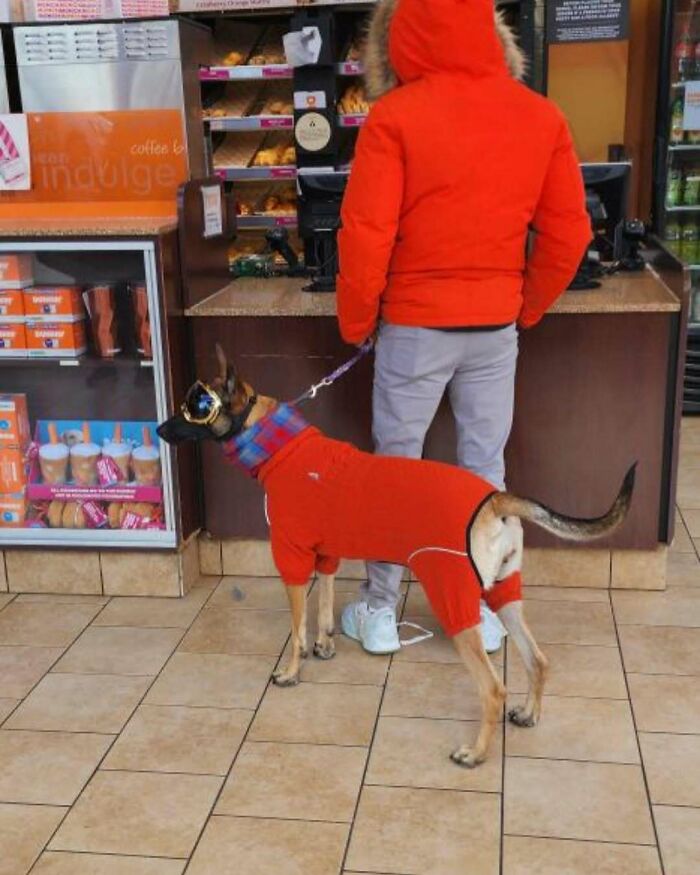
(141,737)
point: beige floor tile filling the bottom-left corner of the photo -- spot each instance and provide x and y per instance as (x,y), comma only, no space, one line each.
(24,830)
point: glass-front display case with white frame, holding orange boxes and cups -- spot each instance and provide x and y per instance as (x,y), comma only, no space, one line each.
(82,389)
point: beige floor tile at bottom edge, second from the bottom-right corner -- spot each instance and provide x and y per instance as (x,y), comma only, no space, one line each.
(533,856)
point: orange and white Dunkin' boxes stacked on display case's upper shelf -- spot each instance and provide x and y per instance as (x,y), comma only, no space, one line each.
(38,321)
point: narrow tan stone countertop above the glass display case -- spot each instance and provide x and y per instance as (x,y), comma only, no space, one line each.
(86,227)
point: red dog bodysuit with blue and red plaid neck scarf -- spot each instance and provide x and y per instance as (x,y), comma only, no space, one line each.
(327,500)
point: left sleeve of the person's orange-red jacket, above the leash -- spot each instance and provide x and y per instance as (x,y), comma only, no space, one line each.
(370,218)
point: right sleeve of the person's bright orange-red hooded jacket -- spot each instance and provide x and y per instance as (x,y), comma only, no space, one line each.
(562,233)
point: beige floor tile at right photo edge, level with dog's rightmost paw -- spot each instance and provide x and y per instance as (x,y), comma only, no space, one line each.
(664,703)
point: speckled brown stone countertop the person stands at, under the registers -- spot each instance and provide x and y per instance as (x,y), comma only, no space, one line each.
(621,293)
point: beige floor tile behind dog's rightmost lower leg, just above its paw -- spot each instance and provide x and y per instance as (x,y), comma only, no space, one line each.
(574,670)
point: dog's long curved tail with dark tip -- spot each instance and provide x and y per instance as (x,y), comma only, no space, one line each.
(569,528)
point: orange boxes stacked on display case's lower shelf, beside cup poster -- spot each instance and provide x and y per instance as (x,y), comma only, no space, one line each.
(14,445)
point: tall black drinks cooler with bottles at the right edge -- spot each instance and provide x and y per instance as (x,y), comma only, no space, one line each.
(677,164)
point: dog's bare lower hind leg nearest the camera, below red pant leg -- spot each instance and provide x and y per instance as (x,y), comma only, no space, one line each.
(492,694)
